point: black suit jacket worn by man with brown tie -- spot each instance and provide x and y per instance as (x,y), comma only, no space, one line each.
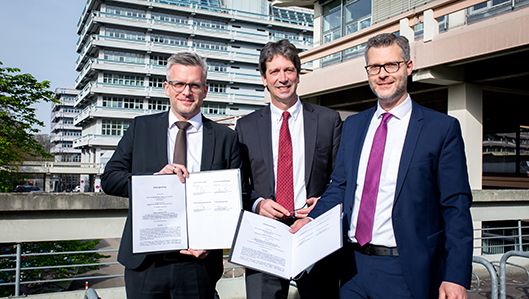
(143,150)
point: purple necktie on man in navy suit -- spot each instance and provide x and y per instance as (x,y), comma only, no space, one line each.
(368,203)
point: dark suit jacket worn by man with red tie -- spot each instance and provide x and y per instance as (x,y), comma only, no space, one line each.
(322,127)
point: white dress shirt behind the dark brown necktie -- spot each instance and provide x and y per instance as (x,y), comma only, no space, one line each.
(194,141)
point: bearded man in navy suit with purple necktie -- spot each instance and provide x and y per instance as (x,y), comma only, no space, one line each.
(407,223)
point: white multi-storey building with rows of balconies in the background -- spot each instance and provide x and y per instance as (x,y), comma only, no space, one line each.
(124,45)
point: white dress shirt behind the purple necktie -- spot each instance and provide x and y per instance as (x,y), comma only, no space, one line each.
(397,128)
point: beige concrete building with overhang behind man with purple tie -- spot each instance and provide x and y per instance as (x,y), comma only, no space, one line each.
(462,52)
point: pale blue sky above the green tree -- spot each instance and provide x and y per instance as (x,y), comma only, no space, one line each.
(39,37)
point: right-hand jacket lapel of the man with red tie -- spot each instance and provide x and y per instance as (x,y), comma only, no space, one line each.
(310,127)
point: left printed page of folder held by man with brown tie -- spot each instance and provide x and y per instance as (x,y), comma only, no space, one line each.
(158,213)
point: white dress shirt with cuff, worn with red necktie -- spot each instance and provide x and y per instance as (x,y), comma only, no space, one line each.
(295,126)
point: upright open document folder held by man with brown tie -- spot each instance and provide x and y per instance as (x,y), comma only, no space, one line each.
(201,213)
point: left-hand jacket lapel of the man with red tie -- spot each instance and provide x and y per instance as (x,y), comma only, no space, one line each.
(264,133)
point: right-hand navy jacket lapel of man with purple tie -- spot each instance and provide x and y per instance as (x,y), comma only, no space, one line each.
(410,143)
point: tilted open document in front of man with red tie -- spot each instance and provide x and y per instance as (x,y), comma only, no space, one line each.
(266,245)
